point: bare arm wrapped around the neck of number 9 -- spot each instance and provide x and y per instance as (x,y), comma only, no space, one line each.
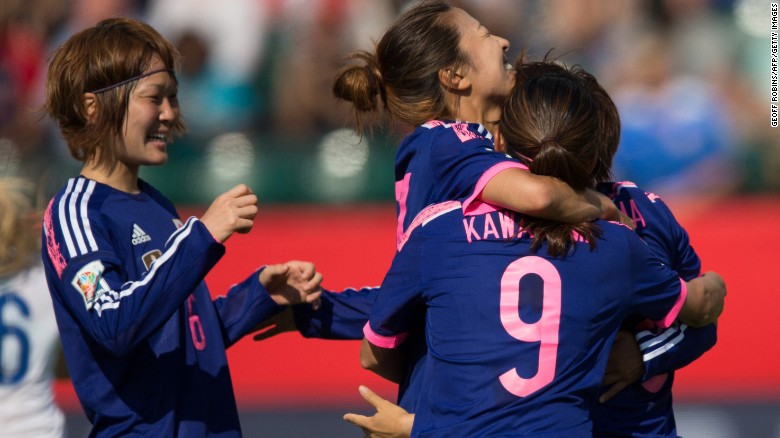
(546,197)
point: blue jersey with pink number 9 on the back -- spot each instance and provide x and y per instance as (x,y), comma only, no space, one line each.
(517,340)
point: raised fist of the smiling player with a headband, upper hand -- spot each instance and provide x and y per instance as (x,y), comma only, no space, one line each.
(232,211)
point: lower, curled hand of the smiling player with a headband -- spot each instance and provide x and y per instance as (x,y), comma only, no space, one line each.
(293,282)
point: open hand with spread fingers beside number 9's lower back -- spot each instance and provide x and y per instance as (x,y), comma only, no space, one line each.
(390,420)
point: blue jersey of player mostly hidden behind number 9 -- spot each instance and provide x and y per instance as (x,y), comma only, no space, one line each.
(644,409)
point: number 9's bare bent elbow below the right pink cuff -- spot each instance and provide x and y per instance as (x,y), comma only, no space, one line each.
(704,302)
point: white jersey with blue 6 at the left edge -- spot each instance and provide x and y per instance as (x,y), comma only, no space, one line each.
(29,342)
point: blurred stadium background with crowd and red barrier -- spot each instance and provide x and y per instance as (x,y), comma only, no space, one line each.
(690,77)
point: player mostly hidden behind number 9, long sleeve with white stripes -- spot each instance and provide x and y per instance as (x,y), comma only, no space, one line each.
(644,408)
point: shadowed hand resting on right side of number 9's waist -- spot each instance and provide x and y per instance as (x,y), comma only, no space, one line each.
(624,367)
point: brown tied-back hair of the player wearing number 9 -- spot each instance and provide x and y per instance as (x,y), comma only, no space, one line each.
(551,121)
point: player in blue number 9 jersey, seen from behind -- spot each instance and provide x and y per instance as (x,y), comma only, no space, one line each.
(482,300)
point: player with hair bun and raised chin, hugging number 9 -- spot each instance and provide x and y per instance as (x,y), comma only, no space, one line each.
(438,71)
